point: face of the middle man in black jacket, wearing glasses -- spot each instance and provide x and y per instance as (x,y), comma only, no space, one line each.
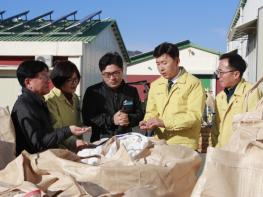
(112,75)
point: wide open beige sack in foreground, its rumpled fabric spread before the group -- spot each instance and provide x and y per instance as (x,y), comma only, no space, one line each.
(59,172)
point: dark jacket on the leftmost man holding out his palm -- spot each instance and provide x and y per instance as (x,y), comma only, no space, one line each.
(33,127)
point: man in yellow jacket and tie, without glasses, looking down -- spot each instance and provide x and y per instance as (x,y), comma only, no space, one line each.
(175,101)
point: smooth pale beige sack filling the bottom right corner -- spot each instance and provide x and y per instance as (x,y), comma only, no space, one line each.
(230,174)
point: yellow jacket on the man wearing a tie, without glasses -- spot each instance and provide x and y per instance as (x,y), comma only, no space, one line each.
(181,109)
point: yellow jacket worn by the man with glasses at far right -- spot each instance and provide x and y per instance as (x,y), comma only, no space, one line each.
(225,111)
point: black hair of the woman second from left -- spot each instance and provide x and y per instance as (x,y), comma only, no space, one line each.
(62,71)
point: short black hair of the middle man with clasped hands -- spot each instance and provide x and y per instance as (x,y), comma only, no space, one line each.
(110,58)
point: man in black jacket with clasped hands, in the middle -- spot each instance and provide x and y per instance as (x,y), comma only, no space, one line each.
(112,106)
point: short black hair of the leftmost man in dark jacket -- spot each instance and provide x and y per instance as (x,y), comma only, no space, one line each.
(29,69)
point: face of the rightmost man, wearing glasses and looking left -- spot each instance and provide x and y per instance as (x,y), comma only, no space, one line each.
(228,76)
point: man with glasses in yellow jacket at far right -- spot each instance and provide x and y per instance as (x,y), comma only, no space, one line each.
(230,101)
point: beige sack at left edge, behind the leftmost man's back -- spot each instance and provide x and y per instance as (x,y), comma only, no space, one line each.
(7,138)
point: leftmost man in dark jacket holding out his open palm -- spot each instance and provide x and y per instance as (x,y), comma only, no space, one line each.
(30,115)
